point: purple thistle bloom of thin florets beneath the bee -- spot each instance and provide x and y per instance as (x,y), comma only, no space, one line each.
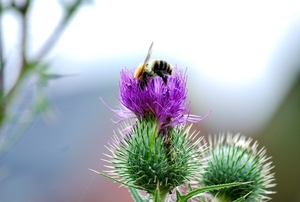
(167,103)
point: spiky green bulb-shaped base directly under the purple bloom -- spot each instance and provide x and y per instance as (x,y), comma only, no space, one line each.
(154,161)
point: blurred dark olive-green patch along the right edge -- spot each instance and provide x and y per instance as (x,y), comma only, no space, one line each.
(282,139)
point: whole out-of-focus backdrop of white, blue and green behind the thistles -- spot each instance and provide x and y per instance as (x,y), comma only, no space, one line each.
(242,62)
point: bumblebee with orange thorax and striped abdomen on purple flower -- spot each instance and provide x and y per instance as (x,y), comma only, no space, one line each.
(154,68)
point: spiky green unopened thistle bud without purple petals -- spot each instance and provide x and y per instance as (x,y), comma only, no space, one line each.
(232,158)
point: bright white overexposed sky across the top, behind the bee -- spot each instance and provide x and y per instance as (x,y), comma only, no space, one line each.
(241,55)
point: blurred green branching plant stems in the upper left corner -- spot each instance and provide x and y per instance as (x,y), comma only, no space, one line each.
(30,68)
